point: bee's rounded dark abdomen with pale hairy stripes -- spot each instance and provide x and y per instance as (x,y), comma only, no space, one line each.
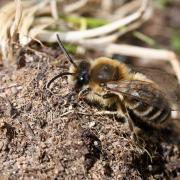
(147,104)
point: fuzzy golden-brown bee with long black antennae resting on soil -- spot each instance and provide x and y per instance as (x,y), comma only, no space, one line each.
(109,83)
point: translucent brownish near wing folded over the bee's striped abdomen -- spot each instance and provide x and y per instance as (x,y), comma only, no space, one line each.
(145,92)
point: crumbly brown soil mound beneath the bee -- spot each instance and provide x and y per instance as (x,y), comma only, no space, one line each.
(51,134)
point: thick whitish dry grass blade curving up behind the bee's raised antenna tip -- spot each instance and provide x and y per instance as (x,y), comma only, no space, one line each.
(72,36)
